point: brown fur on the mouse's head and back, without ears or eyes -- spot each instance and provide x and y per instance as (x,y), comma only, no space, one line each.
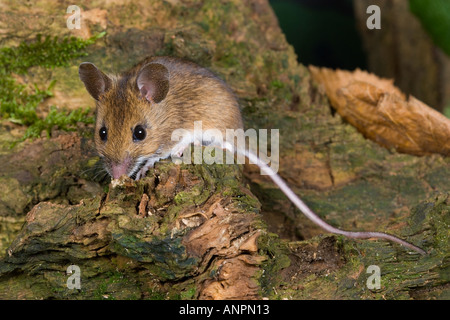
(195,94)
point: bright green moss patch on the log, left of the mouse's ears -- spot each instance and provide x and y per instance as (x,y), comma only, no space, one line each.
(18,102)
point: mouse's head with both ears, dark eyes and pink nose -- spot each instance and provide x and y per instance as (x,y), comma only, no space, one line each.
(129,116)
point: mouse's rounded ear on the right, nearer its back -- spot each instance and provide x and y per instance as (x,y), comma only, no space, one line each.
(153,82)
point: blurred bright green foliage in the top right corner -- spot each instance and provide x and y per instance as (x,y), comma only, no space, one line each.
(435,18)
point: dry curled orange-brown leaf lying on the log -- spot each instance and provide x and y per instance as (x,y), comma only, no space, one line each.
(381,112)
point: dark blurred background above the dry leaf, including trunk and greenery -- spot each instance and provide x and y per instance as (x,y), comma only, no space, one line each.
(407,48)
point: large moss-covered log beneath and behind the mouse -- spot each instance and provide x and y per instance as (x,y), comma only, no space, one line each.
(215,231)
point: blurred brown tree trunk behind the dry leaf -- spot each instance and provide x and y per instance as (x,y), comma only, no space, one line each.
(403,51)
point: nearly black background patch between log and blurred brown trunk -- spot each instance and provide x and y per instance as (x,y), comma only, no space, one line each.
(322,32)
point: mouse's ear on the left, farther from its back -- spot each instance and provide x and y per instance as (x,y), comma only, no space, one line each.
(95,81)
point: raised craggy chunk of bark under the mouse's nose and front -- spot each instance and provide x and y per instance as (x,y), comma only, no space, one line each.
(184,232)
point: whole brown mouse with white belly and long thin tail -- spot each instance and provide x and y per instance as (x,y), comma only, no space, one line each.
(138,110)
